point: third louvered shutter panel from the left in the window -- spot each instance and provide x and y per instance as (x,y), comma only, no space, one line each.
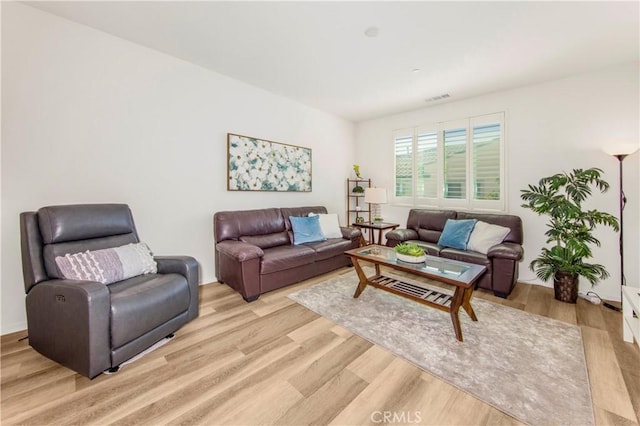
(455,163)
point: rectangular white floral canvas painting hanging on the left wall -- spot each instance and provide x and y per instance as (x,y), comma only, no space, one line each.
(259,165)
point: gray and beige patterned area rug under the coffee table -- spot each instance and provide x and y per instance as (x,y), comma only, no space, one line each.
(530,367)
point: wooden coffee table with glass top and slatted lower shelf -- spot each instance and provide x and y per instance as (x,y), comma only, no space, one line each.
(460,275)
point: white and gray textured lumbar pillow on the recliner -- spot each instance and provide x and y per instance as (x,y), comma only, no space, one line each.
(107,265)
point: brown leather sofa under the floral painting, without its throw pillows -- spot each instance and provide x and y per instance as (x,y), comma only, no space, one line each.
(254,253)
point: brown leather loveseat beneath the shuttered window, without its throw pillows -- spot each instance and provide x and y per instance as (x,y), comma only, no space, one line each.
(424,227)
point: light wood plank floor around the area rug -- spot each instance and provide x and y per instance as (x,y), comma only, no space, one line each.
(275,362)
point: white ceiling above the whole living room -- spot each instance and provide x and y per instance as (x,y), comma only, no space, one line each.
(318,54)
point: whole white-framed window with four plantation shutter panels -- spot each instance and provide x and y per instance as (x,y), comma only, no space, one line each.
(452,164)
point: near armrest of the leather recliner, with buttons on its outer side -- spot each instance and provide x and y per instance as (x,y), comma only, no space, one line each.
(69,322)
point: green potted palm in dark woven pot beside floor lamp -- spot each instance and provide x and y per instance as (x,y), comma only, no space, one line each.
(570,229)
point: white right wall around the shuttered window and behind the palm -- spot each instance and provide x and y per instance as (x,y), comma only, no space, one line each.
(551,127)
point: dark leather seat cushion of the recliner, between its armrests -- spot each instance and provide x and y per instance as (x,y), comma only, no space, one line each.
(143,303)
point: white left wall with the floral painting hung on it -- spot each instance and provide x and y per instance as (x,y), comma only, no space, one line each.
(88,117)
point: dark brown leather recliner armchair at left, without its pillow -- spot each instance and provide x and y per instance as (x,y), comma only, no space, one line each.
(86,325)
